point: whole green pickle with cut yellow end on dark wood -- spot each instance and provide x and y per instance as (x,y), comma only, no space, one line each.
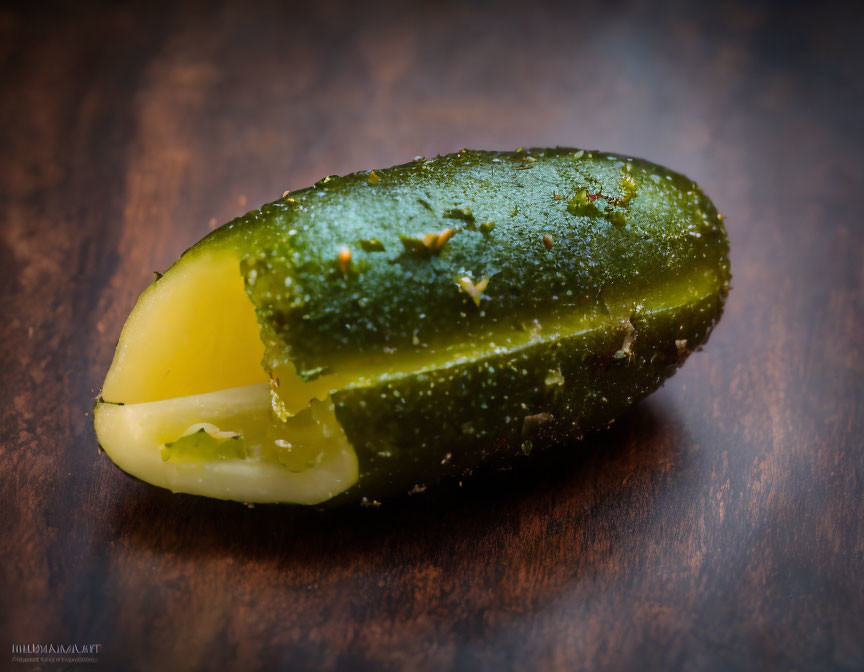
(377,332)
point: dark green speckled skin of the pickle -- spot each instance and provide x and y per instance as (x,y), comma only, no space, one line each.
(635,251)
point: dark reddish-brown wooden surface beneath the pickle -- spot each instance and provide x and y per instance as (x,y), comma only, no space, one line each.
(718,526)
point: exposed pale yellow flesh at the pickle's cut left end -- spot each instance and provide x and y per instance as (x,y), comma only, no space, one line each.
(191,353)
